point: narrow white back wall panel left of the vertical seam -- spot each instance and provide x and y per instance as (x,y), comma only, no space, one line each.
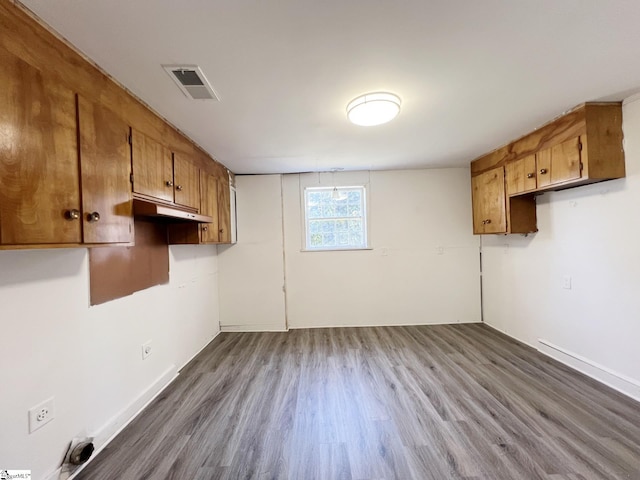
(252,270)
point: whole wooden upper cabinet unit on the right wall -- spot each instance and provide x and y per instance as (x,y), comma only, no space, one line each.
(581,147)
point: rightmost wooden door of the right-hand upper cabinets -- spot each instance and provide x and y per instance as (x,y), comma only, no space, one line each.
(559,164)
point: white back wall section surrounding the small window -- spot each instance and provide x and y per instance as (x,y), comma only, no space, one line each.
(423,266)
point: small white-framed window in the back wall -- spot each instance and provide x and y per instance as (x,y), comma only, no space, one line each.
(335,218)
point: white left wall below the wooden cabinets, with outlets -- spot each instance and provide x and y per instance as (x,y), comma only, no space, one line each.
(89,358)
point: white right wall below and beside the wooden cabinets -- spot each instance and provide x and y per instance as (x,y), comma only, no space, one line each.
(590,234)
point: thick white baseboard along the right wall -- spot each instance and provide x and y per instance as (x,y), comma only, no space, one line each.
(622,383)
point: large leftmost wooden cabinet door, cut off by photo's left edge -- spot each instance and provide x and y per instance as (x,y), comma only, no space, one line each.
(38,157)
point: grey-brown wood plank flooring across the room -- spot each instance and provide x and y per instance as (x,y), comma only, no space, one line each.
(425,402)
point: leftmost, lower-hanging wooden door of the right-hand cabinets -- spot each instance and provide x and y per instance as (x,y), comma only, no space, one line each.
(489,206)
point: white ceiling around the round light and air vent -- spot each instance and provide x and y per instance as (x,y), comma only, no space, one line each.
(472,75)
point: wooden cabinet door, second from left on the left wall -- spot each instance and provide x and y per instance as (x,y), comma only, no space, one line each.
(105,167)
